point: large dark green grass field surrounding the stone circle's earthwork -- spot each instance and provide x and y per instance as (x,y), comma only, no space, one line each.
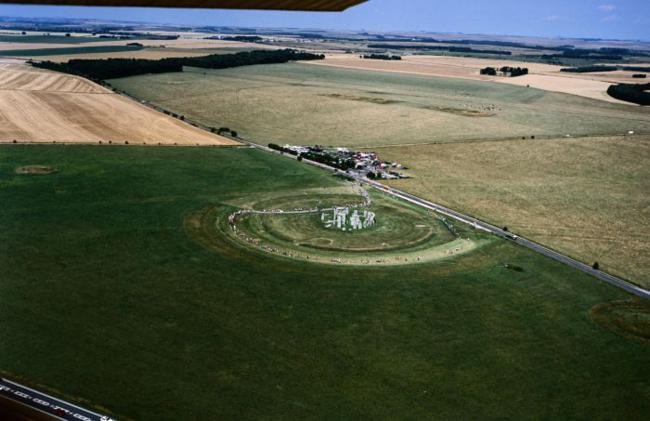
(108,301)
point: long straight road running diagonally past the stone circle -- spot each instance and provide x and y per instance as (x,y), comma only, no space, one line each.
(478,224)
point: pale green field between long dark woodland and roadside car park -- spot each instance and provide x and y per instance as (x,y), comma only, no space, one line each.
(303,104)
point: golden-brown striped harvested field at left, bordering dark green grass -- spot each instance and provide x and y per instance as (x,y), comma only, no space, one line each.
(40,106)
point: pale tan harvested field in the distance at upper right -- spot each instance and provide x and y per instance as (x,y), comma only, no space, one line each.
(543,76)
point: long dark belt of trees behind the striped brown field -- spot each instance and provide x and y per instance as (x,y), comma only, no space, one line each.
(114,68)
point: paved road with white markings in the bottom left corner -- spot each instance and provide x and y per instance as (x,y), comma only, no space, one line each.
(46,404)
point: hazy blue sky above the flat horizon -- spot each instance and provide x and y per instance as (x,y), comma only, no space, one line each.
(627,19)
